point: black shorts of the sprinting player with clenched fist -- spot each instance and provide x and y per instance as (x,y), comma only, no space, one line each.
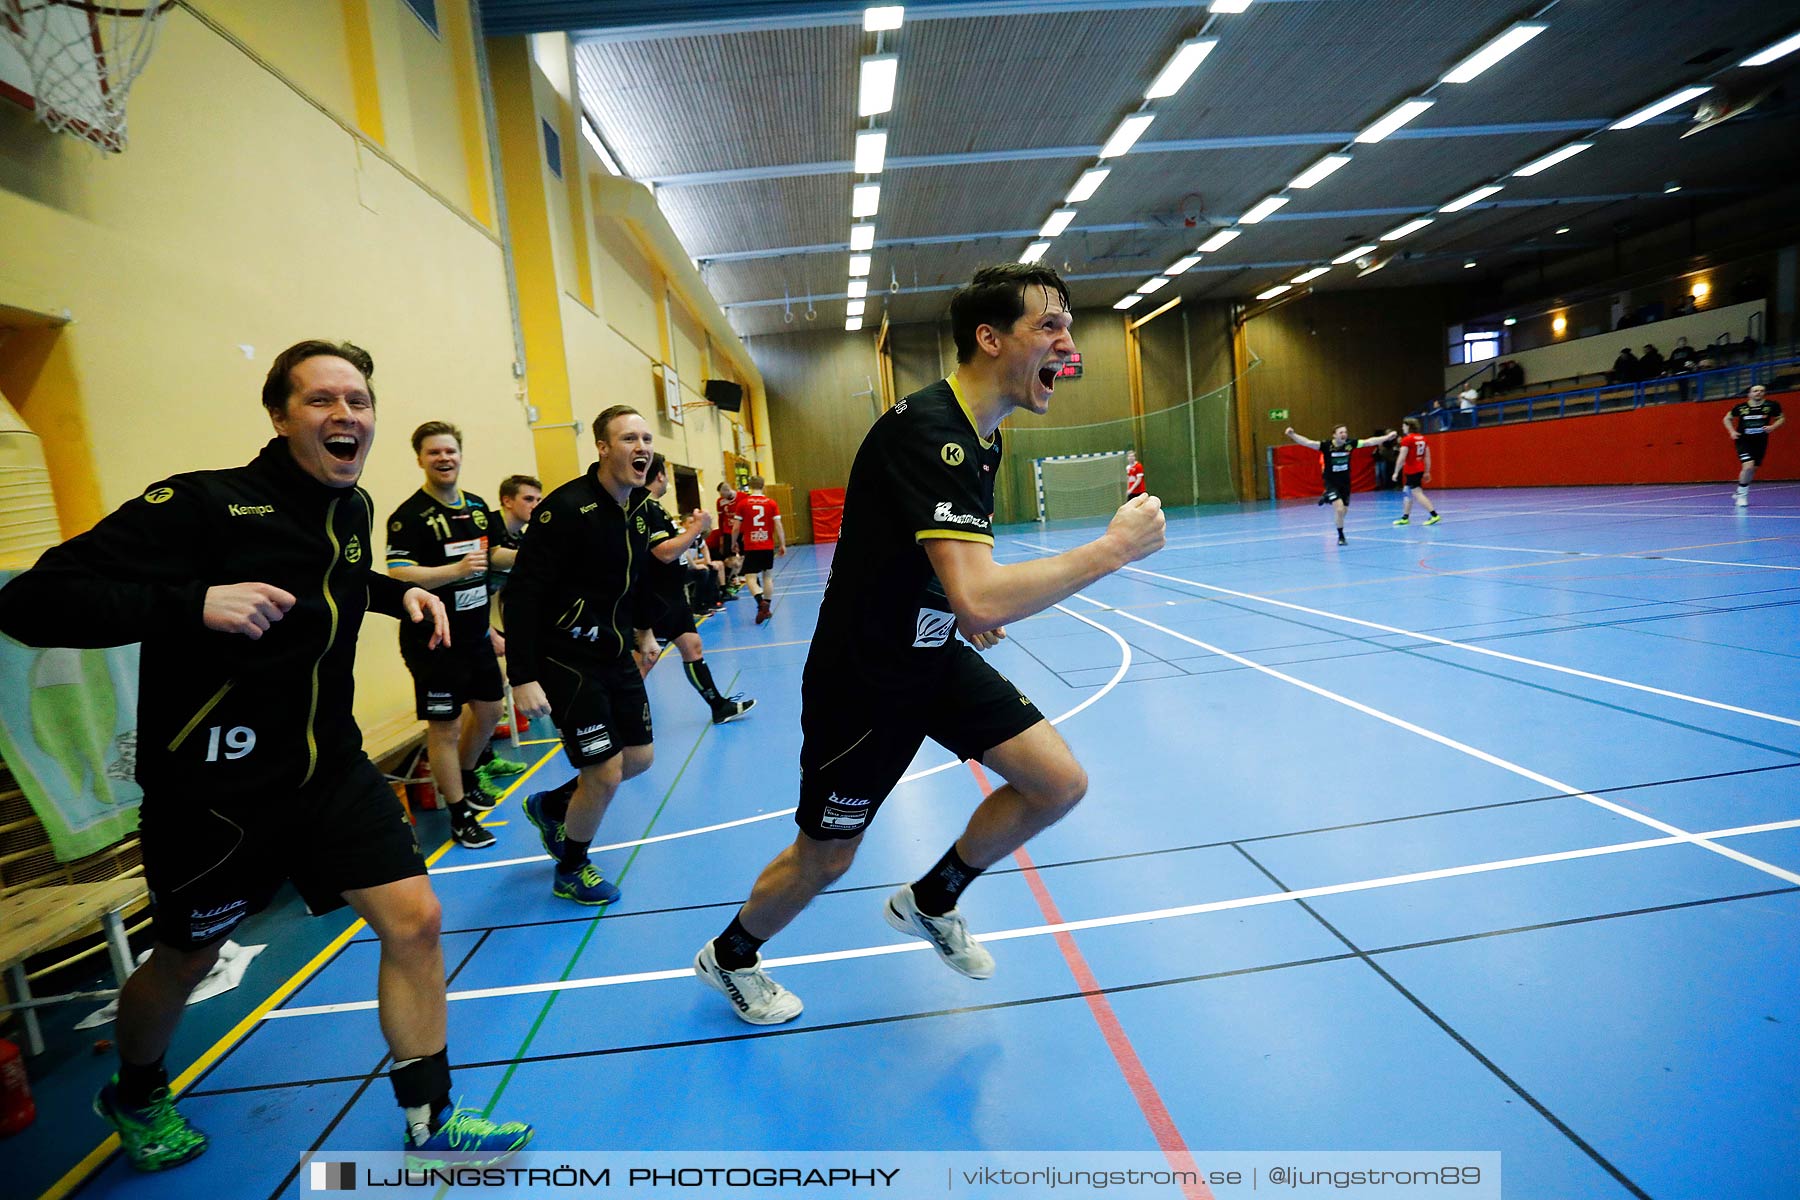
(858,742)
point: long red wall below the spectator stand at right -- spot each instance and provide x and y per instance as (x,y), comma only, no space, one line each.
(1657,445)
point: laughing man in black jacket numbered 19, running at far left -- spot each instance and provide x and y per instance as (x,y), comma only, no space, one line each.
(247,589)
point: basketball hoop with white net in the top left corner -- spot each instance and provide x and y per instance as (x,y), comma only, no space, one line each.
(78,62)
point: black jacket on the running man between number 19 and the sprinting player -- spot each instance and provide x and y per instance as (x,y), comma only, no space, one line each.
(571,587)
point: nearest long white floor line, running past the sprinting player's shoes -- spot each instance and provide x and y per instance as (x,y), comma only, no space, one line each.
(1072,927)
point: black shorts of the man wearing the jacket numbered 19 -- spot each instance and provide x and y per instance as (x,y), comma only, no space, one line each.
(213,866)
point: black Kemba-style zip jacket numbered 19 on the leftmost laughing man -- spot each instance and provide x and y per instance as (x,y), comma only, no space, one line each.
(220,717)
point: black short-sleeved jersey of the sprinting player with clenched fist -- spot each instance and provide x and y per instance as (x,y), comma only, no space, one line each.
(922,472)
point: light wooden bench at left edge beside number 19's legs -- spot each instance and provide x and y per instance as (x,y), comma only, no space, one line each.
(48,917)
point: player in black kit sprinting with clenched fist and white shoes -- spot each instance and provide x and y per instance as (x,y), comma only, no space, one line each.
(915,566)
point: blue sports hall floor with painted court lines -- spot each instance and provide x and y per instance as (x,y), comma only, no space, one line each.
(1471,837)
